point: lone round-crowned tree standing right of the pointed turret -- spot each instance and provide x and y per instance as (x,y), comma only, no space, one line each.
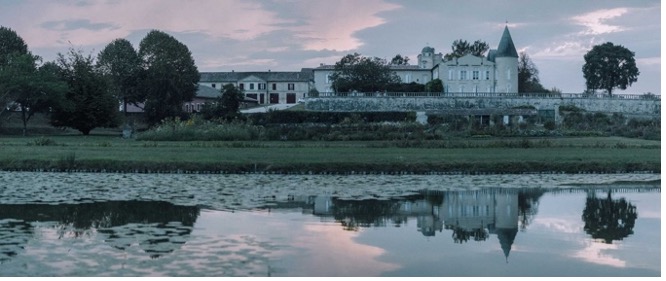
(609,66)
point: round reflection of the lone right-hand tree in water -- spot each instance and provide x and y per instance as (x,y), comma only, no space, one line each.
(609,219)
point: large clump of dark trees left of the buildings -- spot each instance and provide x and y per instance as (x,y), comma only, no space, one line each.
(82,92)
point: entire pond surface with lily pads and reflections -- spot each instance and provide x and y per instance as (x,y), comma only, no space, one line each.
(78,224)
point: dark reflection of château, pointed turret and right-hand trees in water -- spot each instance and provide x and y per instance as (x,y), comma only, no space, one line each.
(469,215)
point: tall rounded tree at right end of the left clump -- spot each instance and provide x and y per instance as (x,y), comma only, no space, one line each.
(170,78)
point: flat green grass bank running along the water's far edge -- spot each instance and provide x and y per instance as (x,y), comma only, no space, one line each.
(454,156)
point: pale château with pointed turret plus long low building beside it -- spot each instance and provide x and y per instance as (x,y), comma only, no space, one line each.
(495,73)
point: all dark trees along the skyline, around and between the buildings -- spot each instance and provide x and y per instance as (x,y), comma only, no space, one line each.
(83,92)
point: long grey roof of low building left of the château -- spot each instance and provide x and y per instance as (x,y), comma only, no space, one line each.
(305,75)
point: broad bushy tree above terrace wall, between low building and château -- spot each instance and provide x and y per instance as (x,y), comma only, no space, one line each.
(364,74)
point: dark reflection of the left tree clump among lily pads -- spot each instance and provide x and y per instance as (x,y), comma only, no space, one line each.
(157,227)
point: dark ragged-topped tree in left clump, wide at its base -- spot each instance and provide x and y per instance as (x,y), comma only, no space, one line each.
(88,103)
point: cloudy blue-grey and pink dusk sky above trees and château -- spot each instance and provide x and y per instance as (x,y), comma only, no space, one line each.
(287,35)
